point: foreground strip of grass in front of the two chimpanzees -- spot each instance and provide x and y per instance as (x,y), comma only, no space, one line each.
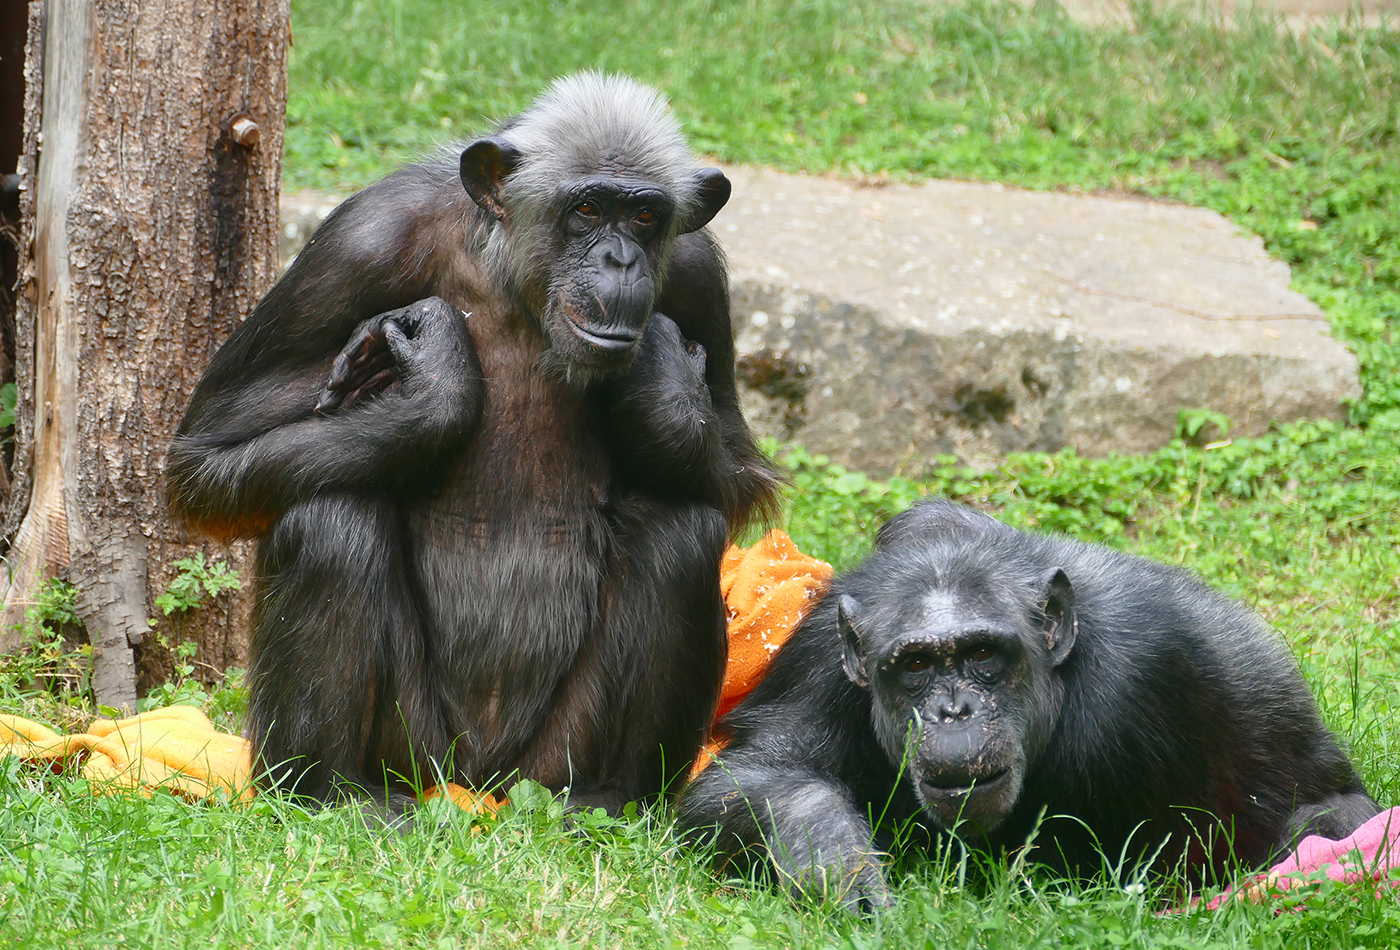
(83,871)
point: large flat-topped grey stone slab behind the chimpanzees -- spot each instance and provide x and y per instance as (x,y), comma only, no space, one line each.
(885,325)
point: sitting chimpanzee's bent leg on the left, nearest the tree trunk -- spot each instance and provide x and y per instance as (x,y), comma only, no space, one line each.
(339,681)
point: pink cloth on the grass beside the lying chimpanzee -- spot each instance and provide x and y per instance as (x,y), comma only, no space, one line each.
(1370,854)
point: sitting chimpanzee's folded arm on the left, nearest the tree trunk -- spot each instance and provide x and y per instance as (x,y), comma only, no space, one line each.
(253,443)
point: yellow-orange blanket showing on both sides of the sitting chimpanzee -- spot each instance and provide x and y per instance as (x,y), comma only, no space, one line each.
(768,590)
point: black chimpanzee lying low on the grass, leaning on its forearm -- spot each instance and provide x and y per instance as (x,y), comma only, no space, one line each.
(971,679)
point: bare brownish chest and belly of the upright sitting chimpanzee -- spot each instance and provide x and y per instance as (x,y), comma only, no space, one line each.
(510,556)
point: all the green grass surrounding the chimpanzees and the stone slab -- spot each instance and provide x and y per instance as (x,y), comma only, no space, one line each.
(1294,138)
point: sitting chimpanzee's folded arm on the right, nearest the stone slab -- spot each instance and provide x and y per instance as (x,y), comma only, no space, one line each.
(674,420)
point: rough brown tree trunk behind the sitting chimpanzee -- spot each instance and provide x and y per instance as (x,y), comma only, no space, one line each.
(150,222)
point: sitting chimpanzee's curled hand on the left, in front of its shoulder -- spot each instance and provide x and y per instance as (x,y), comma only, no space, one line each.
(415,349)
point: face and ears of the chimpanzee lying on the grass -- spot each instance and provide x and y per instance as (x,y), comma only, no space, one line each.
(962,693)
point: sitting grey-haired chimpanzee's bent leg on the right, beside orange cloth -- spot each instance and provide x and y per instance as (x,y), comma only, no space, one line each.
(639,702)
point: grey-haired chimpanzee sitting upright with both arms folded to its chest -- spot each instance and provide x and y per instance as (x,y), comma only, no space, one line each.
(488,432)
